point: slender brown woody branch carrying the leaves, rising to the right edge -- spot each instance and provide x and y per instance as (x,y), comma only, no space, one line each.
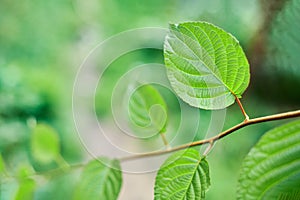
(213,139)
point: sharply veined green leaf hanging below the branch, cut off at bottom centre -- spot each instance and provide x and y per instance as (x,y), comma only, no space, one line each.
(184,175)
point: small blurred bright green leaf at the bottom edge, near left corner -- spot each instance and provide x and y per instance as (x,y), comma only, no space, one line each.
(26,189)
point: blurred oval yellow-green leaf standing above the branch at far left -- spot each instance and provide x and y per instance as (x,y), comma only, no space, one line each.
(45,144)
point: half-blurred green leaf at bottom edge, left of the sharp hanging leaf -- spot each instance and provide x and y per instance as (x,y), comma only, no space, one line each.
(100,180)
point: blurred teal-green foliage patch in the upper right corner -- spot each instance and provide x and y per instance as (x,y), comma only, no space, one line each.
(284,39)
